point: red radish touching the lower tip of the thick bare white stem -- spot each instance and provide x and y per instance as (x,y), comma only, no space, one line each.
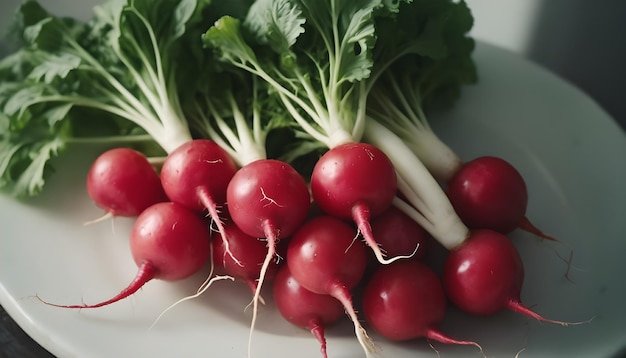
(485,275)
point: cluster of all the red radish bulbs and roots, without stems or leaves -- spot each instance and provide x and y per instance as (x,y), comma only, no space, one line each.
(324,230)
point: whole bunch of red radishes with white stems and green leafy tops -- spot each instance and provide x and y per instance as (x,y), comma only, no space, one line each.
(347,82)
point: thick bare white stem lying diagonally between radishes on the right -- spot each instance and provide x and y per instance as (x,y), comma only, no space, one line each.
(447,227)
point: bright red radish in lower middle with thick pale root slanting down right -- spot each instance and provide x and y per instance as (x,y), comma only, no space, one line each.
(325,257)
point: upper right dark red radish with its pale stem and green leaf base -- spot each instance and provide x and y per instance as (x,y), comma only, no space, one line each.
(486,192)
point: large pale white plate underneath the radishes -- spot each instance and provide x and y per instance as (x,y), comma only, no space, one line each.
(572,154)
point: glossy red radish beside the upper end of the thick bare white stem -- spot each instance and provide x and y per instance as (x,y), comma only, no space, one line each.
(355,181)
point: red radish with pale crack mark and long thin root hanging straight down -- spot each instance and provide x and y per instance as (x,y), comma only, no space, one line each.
(269,199)
